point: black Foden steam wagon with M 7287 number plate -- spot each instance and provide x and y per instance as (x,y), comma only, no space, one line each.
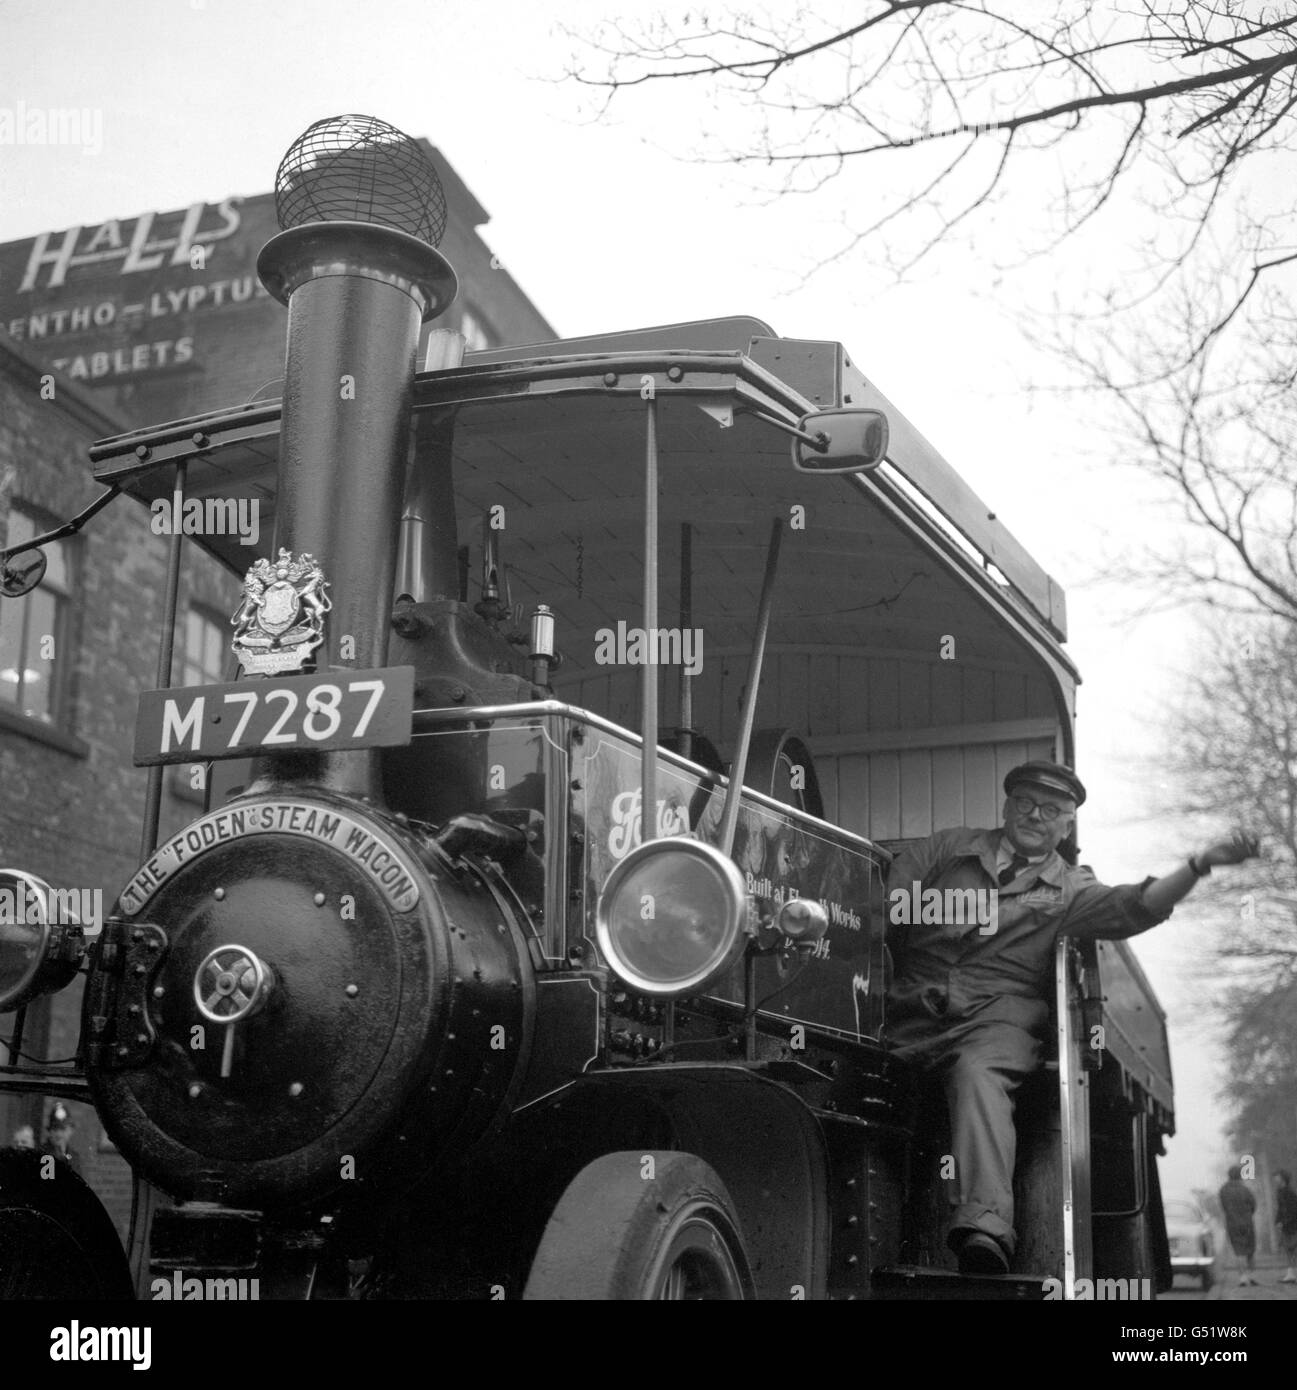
(533,940)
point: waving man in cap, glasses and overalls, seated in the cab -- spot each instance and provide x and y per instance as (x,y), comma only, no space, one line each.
(970,996)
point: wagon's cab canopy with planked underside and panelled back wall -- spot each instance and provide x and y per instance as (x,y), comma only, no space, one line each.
(914,644)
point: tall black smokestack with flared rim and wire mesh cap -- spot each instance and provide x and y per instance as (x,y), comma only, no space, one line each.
(357,265)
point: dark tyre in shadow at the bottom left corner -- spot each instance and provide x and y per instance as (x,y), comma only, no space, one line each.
(56,1241)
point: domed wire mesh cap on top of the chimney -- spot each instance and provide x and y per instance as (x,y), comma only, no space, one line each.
(357,169)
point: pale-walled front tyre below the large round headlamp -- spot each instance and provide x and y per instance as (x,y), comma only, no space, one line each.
(643,1227)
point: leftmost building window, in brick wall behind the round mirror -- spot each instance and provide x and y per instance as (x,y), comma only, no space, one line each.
(34,630)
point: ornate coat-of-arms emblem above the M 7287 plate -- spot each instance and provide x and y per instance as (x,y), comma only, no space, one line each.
(282,621)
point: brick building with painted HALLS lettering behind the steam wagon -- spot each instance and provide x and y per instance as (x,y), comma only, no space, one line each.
(106,327)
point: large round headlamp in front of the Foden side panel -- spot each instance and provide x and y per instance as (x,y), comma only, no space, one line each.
(672,917)
